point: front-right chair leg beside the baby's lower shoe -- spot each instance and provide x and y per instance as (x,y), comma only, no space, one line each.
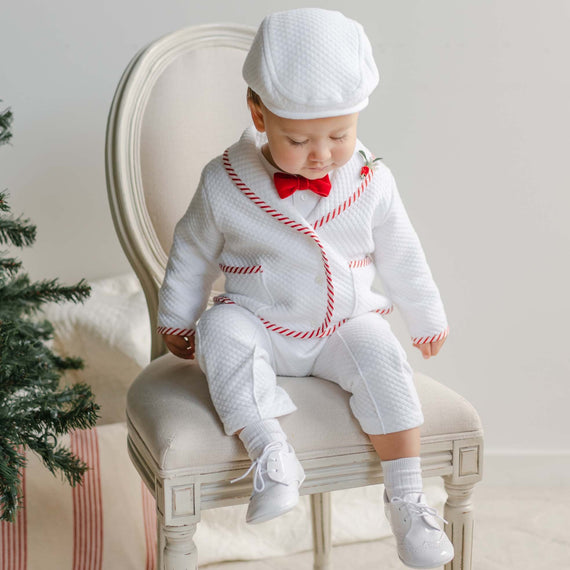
(458,512)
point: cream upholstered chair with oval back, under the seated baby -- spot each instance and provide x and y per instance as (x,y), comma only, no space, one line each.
(180,102)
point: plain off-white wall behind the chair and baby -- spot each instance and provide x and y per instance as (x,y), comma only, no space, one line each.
(471,114)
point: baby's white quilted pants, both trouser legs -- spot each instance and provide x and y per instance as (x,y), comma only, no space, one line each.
(241,359)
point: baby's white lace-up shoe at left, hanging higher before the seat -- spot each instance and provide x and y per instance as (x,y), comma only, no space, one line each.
(276,481)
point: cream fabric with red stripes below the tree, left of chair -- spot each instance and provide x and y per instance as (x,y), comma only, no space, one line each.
(107,522)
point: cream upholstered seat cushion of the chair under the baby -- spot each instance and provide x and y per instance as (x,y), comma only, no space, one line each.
(169,408)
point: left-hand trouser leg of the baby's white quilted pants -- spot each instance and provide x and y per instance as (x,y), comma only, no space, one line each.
(234,352)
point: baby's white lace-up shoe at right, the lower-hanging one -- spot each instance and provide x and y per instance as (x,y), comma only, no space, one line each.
(421,541)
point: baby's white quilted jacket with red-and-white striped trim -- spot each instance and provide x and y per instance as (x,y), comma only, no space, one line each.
(301,277)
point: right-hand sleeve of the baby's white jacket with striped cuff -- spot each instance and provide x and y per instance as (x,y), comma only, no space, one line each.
(403,269)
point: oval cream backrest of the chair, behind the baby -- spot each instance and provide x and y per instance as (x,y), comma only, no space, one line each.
(180,102)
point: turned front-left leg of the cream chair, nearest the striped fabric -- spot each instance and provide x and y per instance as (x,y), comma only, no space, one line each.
(176,548)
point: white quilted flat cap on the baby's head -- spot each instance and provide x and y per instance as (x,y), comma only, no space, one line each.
(311,63)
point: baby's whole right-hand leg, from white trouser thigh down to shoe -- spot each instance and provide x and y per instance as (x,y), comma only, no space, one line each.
(365,358)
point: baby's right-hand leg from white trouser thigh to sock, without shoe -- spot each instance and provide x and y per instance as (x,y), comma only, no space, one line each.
(366,359)
